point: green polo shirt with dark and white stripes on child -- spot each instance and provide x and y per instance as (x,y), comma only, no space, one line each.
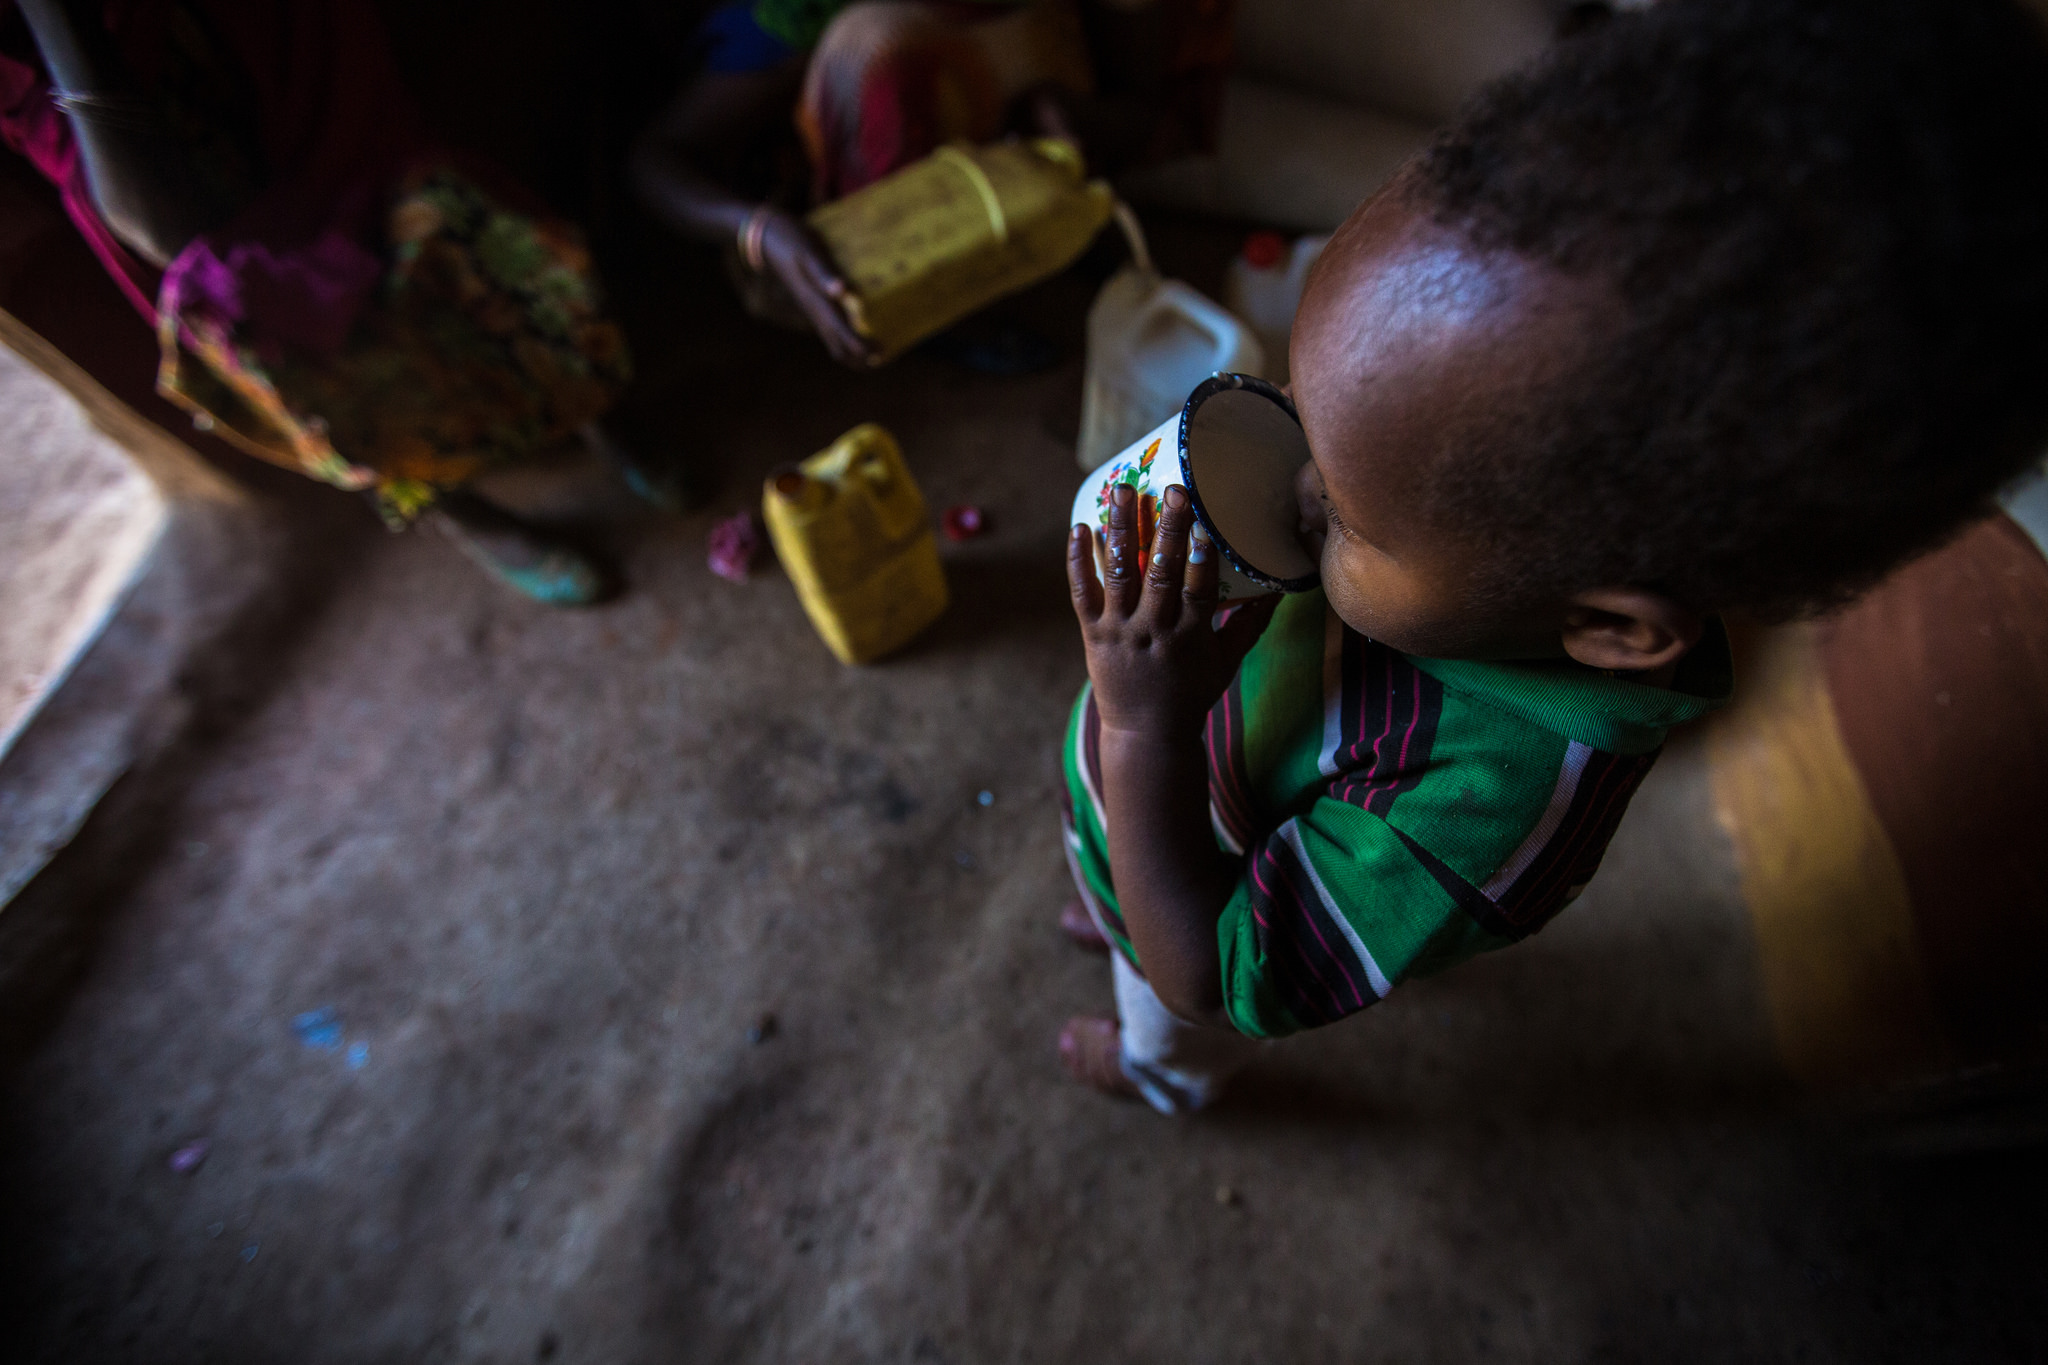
(1396,816)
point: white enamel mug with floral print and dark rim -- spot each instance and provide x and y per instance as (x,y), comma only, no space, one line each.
(1238,449)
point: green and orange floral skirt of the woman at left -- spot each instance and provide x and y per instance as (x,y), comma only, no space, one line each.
(484,343)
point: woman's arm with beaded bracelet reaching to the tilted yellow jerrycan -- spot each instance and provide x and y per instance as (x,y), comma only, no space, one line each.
(685,163)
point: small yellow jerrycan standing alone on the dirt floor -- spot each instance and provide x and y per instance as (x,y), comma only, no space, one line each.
(853,533)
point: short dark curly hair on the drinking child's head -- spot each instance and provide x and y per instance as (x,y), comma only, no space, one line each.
(1830,224)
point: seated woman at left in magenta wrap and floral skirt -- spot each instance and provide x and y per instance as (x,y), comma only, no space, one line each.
(331,290)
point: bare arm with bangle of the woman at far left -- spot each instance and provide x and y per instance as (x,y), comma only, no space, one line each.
(136,169)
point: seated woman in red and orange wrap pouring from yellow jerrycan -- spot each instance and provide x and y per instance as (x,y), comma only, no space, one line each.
(878,85)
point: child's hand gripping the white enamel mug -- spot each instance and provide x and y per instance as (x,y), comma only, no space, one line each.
(1152,654)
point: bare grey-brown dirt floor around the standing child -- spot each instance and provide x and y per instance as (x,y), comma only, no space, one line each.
(685,1004)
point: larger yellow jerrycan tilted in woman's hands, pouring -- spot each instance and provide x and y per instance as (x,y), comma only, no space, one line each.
(955,232)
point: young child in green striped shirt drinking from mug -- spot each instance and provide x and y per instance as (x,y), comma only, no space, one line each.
(1730,304)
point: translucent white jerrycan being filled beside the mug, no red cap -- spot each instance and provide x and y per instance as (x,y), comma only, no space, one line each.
(1150,343)
